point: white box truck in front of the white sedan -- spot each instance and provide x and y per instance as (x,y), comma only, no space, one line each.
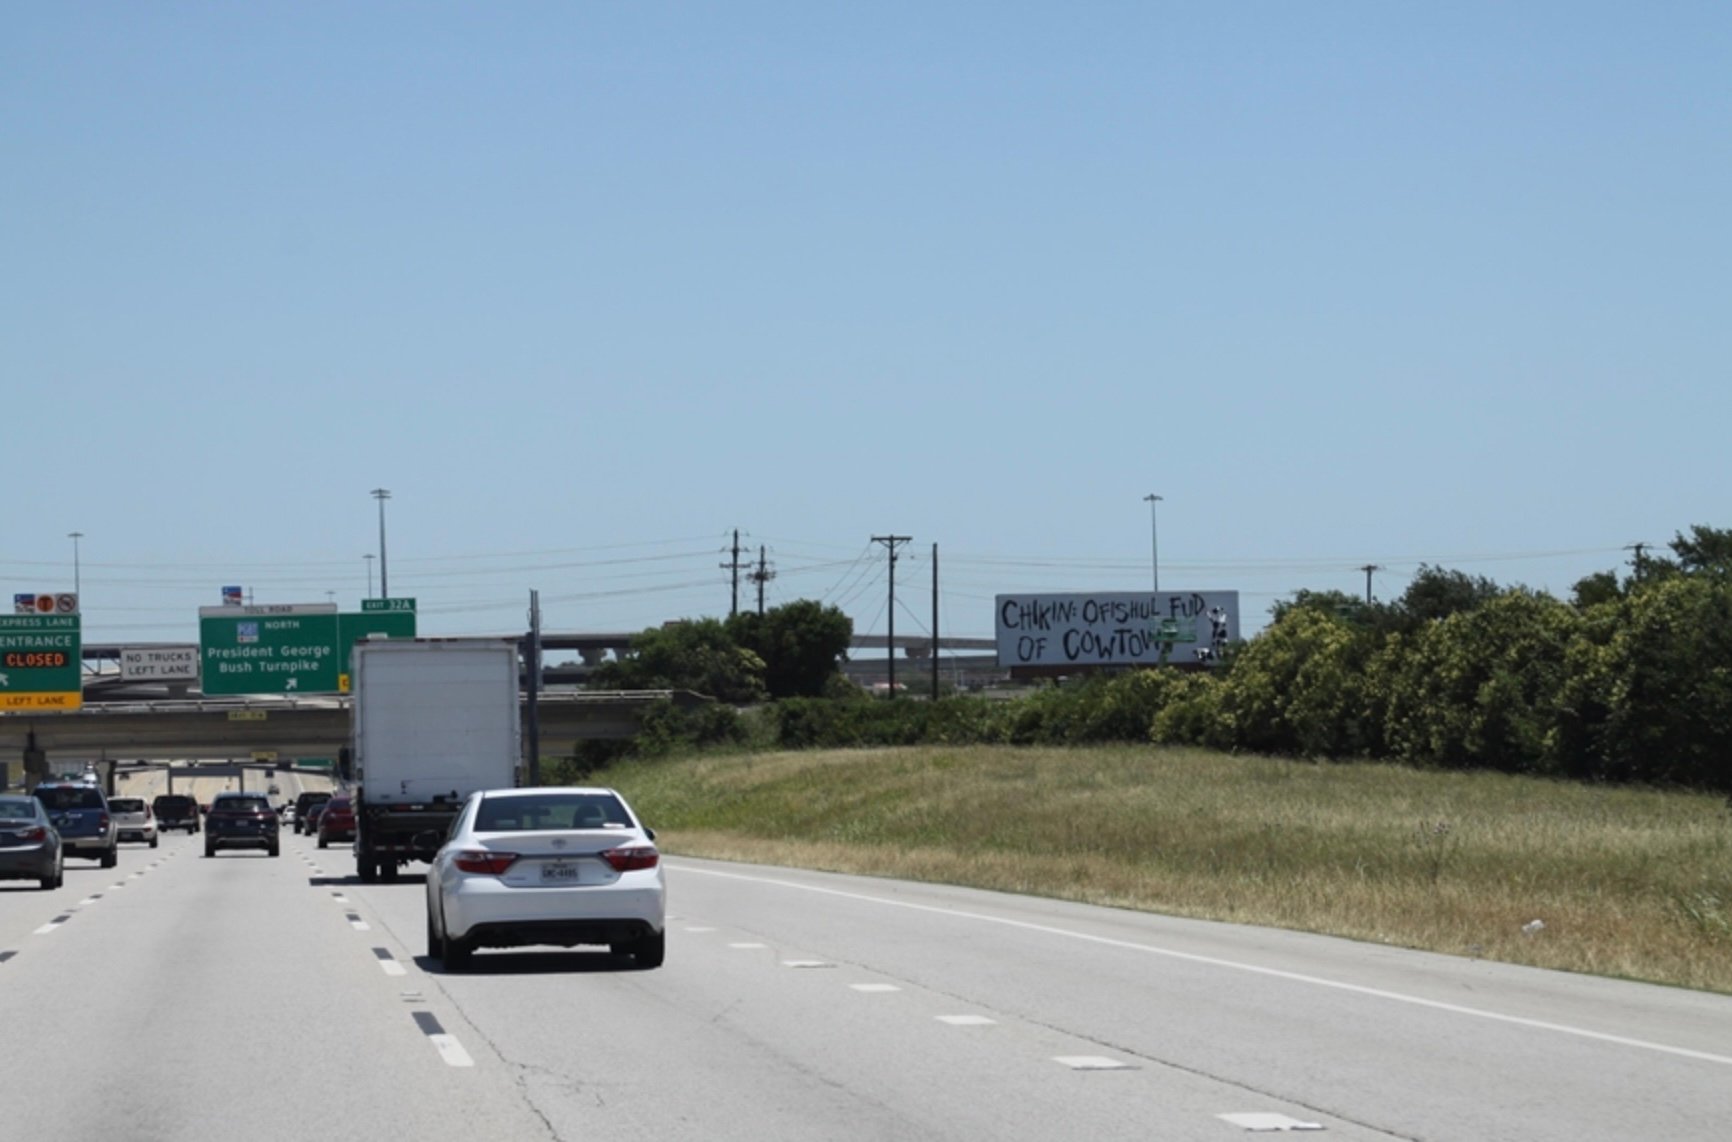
(434,722)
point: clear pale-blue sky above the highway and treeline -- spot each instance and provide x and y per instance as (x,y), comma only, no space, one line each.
(588,287)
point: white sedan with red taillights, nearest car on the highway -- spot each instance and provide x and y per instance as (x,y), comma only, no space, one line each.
(555,866)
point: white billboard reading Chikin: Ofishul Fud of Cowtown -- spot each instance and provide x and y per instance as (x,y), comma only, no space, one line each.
(1115,628)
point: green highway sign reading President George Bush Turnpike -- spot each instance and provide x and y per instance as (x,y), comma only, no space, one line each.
(285,649)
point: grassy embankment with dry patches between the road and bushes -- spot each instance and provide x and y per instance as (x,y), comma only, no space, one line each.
(1625,883)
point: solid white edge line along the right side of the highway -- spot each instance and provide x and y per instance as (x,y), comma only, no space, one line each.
(1238,966)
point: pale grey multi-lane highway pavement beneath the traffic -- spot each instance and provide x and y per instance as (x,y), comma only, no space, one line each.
(181,997)
